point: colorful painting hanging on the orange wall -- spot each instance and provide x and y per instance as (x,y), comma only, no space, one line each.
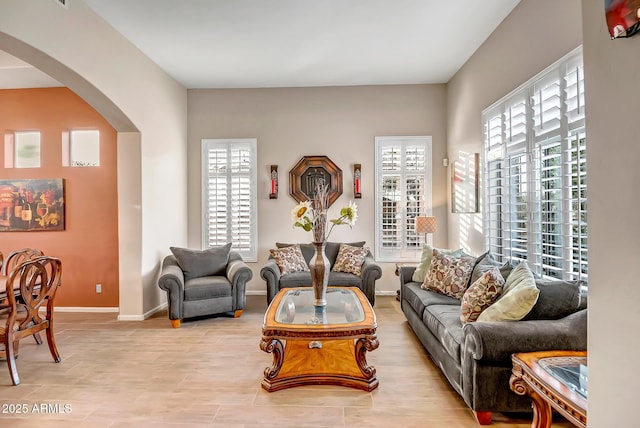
(30,205)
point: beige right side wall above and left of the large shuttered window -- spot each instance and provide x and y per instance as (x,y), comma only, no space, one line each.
(535,35)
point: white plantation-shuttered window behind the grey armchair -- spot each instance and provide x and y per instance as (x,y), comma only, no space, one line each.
(229,196)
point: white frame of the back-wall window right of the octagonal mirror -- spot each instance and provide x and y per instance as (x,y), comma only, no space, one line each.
(411,243)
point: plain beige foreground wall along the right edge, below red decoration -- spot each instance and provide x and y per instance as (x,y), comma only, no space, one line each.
(613,151)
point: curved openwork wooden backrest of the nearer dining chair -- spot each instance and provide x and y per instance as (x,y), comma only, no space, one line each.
(37,281)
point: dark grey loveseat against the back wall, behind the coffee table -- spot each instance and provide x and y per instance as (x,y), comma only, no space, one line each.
(366,281)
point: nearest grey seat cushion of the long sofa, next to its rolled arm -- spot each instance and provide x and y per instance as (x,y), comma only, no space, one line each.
(444,323)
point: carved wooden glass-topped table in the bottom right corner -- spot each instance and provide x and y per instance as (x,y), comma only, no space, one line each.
(552,379)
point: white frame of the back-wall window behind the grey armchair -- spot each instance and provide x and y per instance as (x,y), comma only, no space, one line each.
(251,144)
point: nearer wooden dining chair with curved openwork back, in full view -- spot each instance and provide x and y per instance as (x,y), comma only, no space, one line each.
(30,286)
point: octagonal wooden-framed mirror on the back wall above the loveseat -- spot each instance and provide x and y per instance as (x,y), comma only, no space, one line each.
(311,171)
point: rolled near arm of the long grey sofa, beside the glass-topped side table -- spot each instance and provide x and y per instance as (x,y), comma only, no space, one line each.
(496,341)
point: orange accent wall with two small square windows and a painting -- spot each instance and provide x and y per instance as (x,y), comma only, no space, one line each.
(88,247)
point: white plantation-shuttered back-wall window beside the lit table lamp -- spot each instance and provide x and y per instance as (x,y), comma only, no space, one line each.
(403,191)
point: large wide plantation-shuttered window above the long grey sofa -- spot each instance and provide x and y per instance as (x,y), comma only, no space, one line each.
(535,186)
